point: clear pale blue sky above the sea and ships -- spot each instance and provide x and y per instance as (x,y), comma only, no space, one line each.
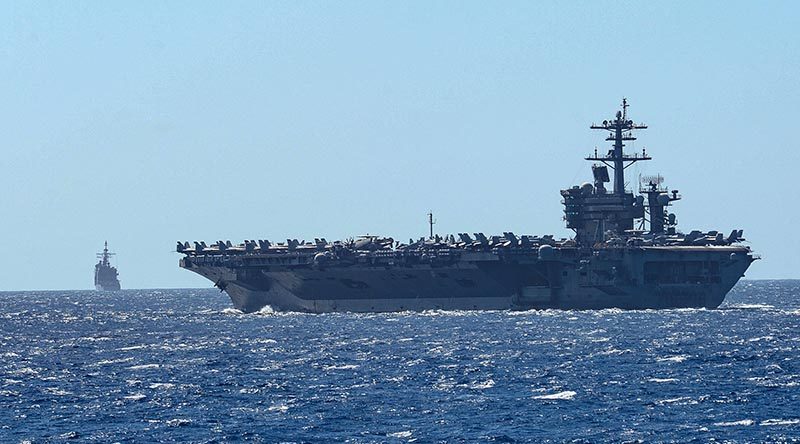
(142,123)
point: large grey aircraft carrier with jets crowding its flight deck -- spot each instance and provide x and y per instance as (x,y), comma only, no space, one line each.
(626,253)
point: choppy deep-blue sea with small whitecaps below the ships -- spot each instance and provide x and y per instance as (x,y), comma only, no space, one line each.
(181,365)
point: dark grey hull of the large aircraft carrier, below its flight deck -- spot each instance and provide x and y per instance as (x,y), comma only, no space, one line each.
(624,280)
